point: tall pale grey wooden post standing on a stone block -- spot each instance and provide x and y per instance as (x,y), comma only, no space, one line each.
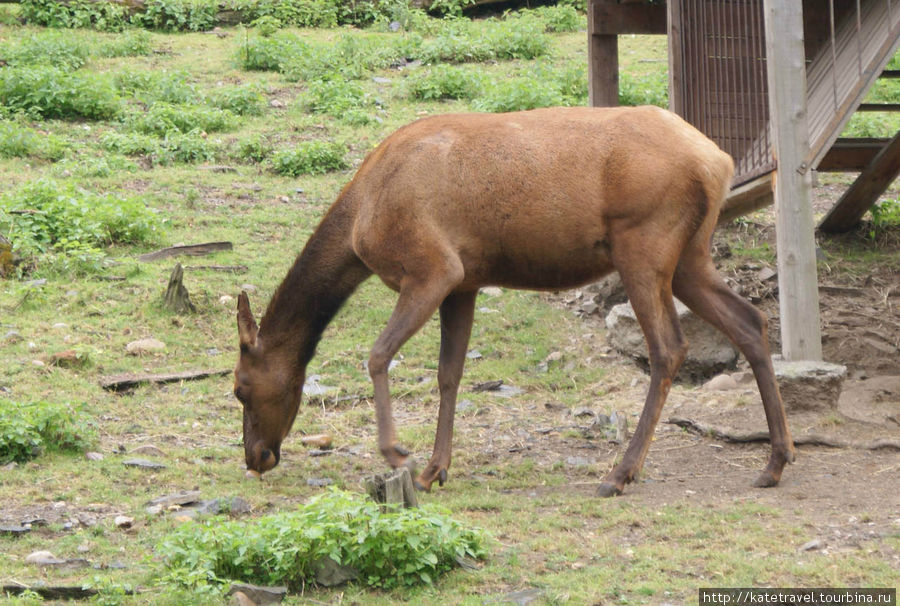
(797,279)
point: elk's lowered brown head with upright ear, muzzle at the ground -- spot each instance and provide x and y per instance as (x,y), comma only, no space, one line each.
(269,387)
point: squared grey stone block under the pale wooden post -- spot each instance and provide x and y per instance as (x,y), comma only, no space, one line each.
(807,385)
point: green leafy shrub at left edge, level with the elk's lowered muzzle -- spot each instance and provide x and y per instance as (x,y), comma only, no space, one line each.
(27,430)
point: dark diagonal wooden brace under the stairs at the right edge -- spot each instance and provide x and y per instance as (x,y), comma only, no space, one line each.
(864,192)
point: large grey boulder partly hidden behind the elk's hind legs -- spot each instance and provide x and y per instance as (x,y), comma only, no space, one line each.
(709,353)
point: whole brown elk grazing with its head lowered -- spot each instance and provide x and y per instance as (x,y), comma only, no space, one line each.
(546,199)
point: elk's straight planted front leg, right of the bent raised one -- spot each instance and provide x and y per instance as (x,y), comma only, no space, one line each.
(457,313)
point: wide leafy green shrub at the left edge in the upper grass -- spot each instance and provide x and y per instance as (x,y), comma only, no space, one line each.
(48,92)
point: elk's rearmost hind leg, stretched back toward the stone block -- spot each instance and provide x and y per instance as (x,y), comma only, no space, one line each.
(702,289)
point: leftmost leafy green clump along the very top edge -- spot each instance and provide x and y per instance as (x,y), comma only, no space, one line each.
(108,16)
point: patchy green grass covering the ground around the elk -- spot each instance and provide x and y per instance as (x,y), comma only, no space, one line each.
(147,127)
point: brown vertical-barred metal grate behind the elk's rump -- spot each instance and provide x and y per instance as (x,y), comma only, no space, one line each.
(723,75)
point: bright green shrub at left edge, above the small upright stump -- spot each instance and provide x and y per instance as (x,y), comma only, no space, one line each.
(53,215)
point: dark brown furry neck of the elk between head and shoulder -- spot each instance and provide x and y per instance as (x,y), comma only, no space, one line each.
(324,275)
